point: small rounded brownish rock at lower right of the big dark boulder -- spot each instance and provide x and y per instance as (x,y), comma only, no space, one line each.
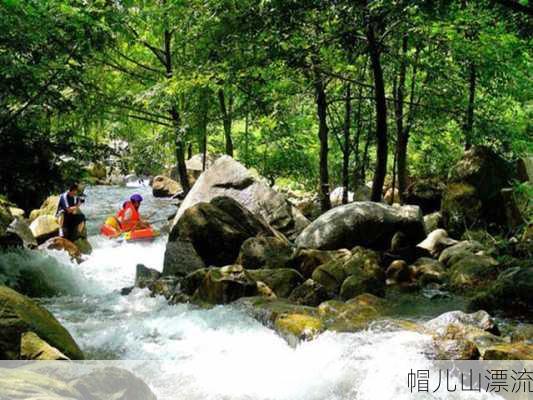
(264,252)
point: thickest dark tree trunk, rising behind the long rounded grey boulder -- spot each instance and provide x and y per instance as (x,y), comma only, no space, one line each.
(381,115)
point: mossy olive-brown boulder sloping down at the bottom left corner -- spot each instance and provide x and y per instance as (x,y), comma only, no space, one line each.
(19,314)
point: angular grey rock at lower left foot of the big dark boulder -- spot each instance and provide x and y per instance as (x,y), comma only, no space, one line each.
(181,258)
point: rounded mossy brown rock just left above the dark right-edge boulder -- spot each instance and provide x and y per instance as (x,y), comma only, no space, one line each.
(473,272)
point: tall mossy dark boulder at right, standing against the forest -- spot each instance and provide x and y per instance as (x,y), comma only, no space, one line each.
(473,195)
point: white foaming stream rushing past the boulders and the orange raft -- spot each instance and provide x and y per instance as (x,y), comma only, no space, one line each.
(220,353)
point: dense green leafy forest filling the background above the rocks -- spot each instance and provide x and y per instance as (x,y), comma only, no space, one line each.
(312,94)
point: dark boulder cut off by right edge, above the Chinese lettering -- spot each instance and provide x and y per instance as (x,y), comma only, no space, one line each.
(511,292)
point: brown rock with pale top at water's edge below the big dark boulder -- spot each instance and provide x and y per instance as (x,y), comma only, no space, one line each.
(224,285)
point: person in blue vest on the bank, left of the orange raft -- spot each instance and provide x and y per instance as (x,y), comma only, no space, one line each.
(71,220)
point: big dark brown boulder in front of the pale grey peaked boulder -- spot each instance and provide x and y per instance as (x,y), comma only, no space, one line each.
(218,229)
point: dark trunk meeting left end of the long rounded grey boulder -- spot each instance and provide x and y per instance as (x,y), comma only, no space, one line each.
(321,105)
